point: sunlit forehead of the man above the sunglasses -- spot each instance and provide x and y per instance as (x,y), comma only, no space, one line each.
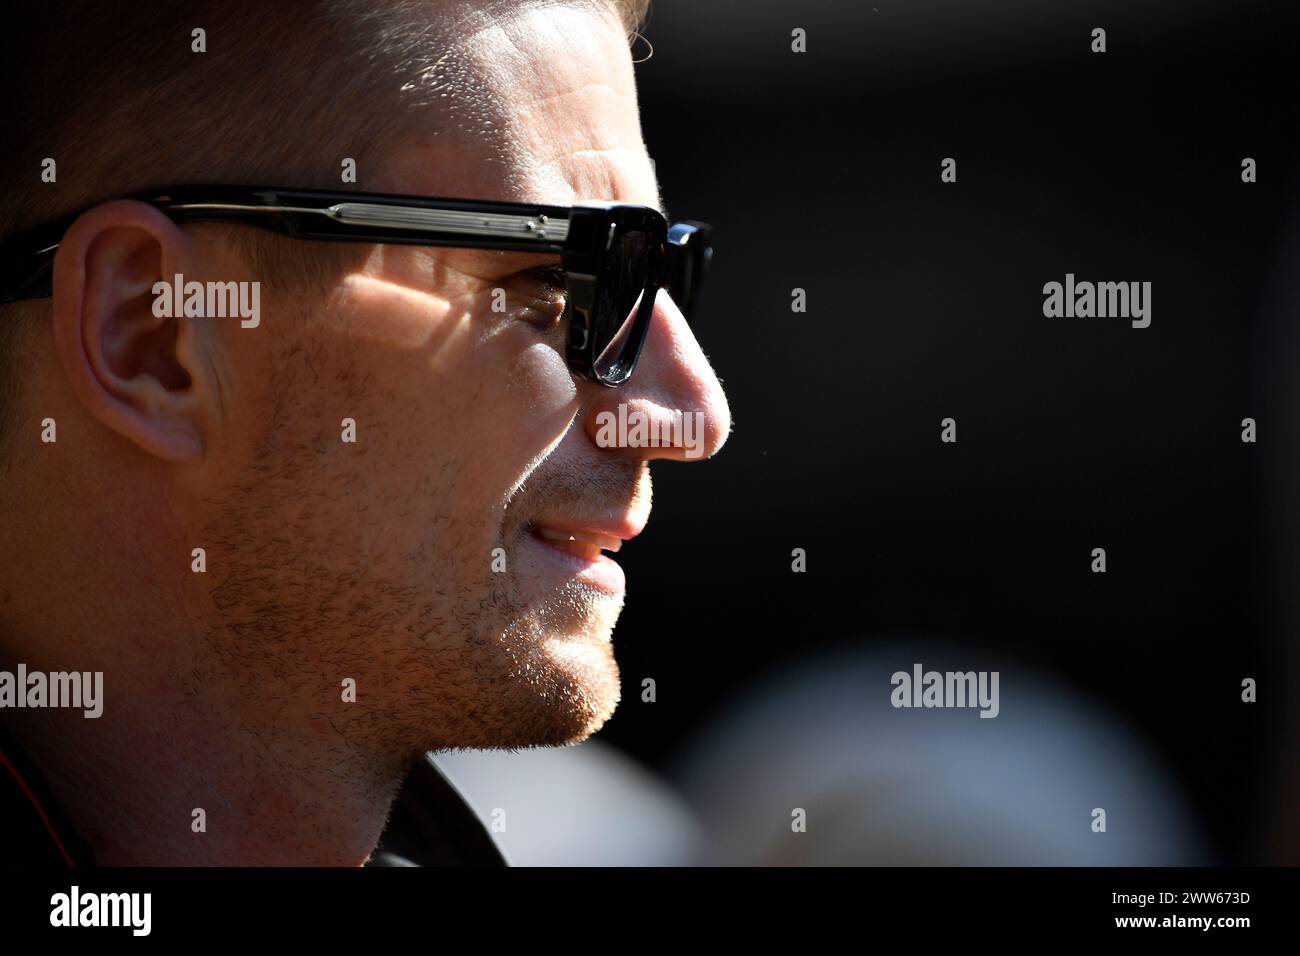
(539,107)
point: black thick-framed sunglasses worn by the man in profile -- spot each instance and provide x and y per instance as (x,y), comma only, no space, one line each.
(616,257)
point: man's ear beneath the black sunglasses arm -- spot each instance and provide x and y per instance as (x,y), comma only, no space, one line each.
(141,375)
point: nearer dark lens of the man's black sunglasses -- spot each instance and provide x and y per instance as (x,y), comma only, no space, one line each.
(622,292)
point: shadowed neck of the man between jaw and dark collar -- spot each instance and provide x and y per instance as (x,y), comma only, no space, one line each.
(163,778)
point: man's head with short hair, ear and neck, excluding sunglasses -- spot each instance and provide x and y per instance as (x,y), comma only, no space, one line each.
(400,487)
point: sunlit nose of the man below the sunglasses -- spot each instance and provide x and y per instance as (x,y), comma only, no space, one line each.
(673,406)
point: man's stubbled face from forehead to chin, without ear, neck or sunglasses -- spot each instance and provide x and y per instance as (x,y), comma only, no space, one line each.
(449,561)
